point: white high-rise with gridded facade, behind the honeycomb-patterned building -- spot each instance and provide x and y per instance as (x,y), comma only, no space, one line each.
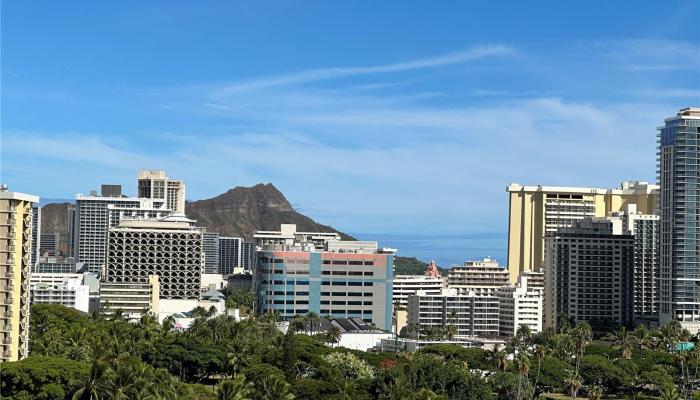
(94,215)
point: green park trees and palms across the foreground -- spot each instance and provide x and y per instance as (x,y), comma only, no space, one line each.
(79,356)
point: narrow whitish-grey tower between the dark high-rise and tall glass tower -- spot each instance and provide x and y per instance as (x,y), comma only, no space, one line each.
(645,228)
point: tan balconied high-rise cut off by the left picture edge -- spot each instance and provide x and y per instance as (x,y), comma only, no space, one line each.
(15,257)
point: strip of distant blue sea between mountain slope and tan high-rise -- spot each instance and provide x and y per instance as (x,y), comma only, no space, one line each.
(445,249)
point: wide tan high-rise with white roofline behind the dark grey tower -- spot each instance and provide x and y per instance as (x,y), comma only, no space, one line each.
(537,210)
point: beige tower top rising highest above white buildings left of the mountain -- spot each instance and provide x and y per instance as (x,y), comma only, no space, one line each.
(155,185)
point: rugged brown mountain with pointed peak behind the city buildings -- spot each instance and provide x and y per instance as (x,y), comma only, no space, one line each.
(243,210)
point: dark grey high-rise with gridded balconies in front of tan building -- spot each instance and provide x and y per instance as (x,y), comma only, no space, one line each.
(589,275)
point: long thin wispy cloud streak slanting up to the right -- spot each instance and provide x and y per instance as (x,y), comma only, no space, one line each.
(320,74)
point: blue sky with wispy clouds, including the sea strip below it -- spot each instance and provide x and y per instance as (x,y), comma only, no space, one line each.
(401,121)
